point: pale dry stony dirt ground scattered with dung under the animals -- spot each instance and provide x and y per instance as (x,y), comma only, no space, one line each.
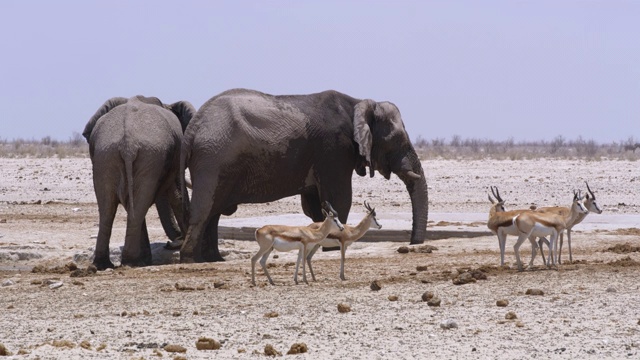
(589,308)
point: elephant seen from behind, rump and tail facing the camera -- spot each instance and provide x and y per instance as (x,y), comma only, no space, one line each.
(135,151)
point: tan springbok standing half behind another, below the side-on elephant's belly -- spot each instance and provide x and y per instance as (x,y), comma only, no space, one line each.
(345,238)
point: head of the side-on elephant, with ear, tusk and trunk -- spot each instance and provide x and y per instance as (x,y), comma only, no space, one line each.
(384,145)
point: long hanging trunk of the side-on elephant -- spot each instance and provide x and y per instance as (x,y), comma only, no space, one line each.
(412,174)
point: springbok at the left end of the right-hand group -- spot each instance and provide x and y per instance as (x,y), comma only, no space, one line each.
(502,223)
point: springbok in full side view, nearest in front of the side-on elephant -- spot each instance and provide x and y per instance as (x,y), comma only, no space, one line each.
(286,238)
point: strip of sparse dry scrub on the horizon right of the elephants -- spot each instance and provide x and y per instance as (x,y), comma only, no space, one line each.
(558,147)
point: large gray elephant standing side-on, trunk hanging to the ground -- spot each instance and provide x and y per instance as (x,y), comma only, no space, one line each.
(243,146)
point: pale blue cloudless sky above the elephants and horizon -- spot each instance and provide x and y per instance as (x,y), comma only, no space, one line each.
(531,70)
